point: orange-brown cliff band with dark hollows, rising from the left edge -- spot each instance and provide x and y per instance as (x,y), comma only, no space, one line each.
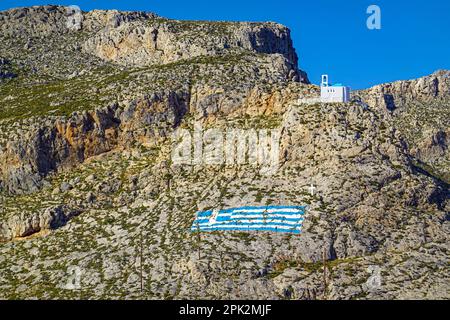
(67,143)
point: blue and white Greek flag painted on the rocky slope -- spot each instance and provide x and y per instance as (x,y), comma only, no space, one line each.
(288,219)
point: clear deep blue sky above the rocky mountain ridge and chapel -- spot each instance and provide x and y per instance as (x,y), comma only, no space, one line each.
(330,36)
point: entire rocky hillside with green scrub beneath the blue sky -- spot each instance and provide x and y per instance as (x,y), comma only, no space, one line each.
(88,183)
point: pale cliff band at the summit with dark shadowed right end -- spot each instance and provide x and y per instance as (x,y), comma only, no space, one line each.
(167,41)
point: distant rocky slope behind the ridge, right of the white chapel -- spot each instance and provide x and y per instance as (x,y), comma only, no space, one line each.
(419,108)
